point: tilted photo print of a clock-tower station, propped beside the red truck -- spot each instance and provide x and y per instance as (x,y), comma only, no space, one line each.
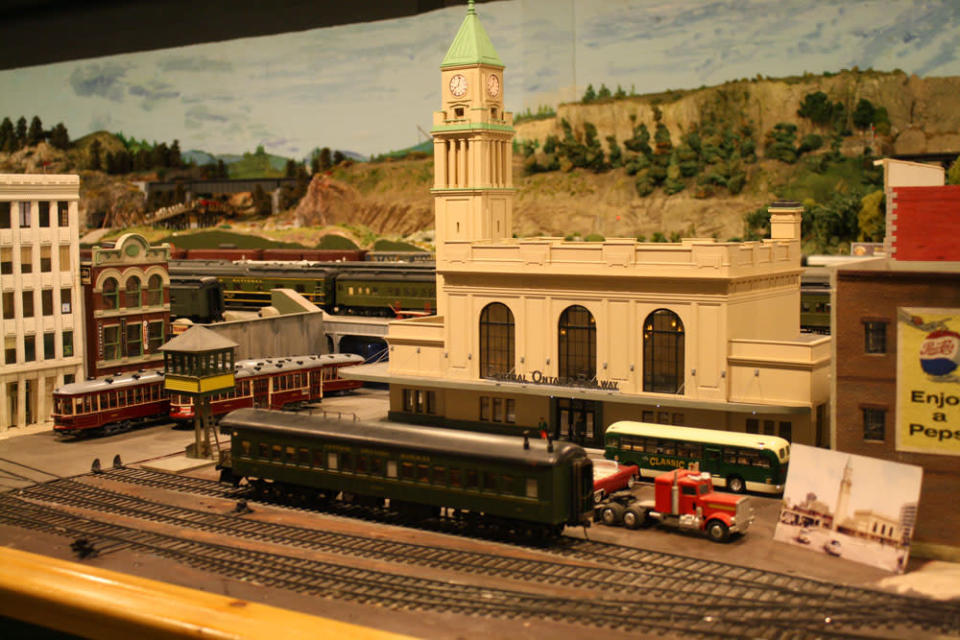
(848,506)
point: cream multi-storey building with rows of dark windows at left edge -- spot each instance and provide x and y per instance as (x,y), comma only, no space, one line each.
(41,301)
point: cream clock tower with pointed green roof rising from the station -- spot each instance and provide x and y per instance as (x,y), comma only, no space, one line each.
(473,145)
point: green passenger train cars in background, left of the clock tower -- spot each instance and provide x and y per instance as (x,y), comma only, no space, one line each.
(372,288)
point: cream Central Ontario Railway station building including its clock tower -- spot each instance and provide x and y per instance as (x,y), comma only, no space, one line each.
(582,334)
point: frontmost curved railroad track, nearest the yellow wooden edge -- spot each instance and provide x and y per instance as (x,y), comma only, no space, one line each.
(674,616)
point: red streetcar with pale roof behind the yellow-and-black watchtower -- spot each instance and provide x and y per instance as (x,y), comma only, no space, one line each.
(275,383)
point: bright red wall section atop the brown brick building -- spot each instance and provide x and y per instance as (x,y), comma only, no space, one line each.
(926,223)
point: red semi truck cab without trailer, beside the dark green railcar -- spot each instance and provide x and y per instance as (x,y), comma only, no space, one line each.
(683,499)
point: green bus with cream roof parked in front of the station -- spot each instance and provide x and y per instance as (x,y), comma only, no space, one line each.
(738,461)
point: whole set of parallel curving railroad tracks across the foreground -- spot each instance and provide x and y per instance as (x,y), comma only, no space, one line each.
(573,581)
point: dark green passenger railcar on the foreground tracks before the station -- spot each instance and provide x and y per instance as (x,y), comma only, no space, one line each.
(528,487)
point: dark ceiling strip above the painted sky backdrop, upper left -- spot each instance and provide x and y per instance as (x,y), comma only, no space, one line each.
(36,32)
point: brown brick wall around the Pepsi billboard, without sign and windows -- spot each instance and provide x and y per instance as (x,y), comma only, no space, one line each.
(871,379)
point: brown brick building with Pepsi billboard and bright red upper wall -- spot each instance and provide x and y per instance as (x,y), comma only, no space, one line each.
(896,330)
